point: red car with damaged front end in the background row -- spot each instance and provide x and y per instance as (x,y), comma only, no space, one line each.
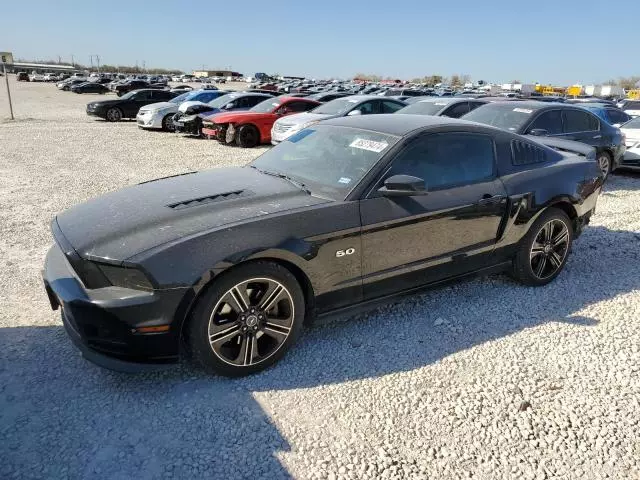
(251,127)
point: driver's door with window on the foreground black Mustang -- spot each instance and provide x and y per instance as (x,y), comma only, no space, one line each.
(414,240)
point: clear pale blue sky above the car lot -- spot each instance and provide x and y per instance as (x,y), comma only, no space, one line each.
(559,42)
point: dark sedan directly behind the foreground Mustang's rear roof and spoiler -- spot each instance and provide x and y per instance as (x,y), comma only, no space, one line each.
(556,120)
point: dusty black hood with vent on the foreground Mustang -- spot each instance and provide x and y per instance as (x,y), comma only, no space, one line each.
(121,224)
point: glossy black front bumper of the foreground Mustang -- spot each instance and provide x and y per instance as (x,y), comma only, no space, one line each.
(103,321)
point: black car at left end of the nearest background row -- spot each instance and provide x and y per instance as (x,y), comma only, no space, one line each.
(128,105)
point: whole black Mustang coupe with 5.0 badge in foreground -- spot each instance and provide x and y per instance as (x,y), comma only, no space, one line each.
(230,262)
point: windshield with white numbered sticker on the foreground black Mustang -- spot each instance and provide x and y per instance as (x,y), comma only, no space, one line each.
(328,160)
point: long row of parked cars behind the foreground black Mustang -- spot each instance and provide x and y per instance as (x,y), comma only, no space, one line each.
(256,116)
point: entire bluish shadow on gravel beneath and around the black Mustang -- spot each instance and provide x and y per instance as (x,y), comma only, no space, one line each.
(60,415)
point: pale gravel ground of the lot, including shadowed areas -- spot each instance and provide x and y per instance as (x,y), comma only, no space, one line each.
(482,379)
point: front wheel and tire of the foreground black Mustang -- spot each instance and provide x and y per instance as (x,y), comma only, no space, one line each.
(246,341)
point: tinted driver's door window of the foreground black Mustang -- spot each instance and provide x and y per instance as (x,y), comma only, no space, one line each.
(447,159)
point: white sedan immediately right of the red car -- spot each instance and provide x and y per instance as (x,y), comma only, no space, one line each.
(340,107)
